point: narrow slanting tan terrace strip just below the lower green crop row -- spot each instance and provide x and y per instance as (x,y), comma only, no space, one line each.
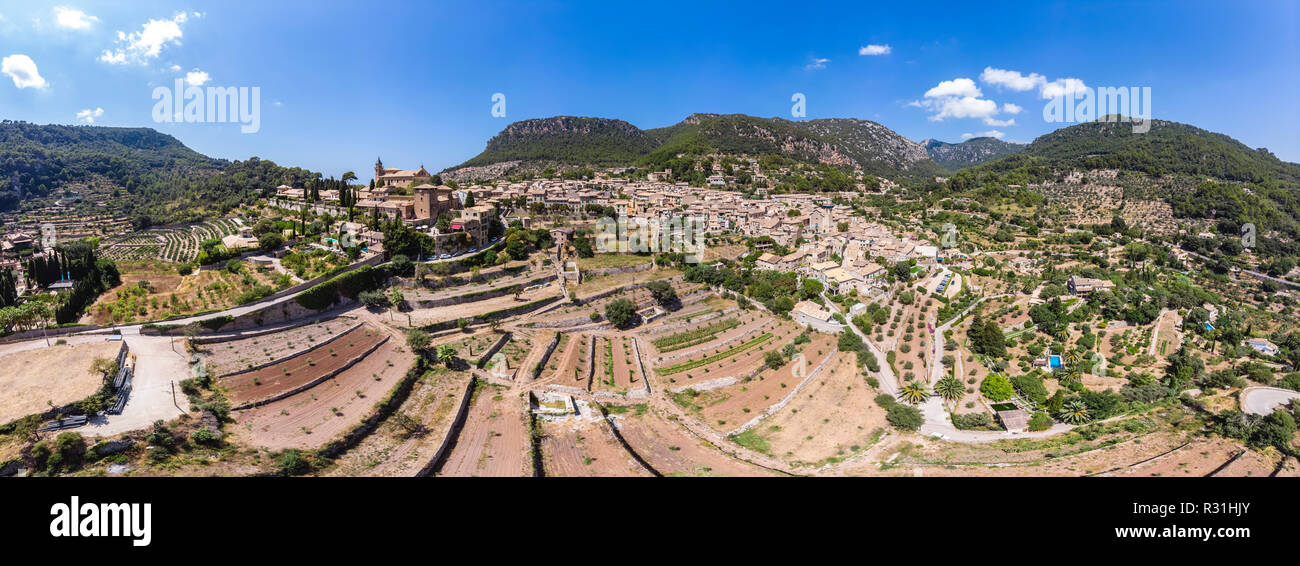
(738,360)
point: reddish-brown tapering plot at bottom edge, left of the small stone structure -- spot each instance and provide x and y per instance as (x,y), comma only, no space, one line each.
(495,439)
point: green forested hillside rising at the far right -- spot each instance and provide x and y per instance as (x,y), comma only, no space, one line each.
(1202,175)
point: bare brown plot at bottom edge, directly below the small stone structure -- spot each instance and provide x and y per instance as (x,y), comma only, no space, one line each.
(586,447)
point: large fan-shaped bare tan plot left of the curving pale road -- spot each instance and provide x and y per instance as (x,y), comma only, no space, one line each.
(834,418)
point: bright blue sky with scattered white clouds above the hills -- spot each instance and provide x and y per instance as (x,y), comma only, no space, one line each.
(343,83)
